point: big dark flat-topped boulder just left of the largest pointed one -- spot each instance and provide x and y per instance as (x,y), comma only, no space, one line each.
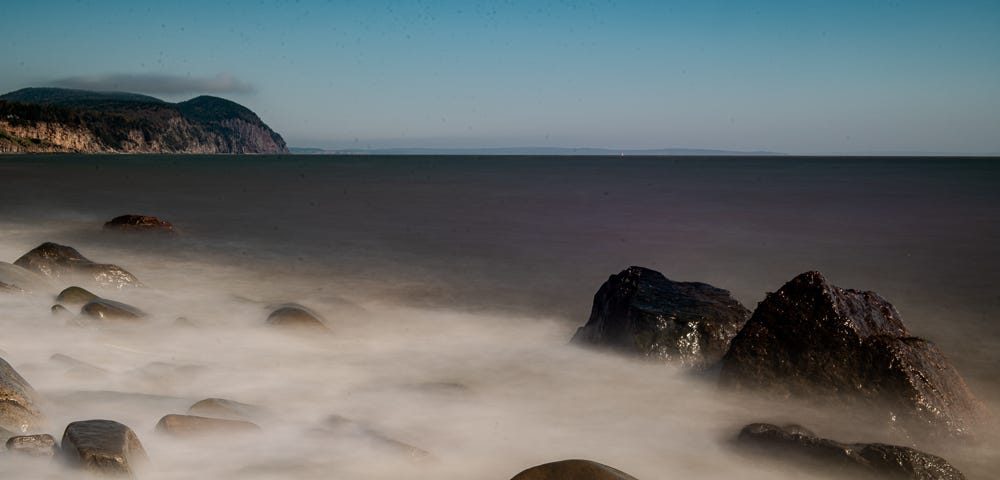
(641,312)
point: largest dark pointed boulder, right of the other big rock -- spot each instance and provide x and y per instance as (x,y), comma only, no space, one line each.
(813,340)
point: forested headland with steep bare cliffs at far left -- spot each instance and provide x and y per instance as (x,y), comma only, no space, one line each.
(34,120)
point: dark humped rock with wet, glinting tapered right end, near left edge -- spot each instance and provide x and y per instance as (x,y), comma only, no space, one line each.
(59,262)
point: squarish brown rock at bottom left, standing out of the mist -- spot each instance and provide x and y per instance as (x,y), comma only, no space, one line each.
(103,446)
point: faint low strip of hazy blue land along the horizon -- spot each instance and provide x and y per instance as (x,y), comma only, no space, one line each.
(523,151)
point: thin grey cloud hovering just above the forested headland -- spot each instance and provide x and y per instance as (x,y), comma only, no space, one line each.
(157,83)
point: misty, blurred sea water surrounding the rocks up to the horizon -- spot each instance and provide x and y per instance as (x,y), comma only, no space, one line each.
(451,286)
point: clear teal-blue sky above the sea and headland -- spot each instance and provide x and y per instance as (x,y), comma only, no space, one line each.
(803,76)
